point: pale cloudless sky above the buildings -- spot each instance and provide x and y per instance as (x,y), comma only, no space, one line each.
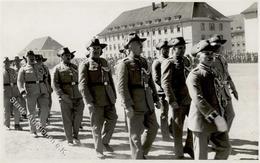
(72,23)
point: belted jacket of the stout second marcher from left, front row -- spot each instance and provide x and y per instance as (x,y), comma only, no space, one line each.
(31,80)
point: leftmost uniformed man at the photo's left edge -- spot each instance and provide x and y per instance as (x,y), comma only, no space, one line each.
(10,91)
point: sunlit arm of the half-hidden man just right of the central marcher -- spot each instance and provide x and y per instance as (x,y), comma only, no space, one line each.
(156,74)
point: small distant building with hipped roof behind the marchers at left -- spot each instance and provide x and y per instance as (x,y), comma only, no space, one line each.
(46,46)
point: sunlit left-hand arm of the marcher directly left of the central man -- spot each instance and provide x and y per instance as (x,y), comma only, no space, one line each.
(83,83)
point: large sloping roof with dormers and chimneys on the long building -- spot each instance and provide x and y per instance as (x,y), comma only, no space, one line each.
(167,14)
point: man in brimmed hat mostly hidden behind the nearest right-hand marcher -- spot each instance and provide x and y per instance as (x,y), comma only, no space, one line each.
(225,82)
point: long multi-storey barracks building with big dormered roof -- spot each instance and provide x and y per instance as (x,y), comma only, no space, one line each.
(164,21)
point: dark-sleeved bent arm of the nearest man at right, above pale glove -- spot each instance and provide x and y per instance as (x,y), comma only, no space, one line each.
(196,94)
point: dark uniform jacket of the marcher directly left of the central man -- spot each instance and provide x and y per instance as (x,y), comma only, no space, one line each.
(96,83)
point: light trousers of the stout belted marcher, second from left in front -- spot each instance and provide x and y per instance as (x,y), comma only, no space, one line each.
(42,101)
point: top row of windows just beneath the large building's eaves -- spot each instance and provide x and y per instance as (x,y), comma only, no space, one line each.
(145,33)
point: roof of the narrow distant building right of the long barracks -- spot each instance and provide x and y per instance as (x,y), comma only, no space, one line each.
(237,22)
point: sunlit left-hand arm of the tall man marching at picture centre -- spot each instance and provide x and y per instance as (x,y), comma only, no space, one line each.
(123,89)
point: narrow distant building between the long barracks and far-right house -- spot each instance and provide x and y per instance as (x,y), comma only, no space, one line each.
(237,34)
